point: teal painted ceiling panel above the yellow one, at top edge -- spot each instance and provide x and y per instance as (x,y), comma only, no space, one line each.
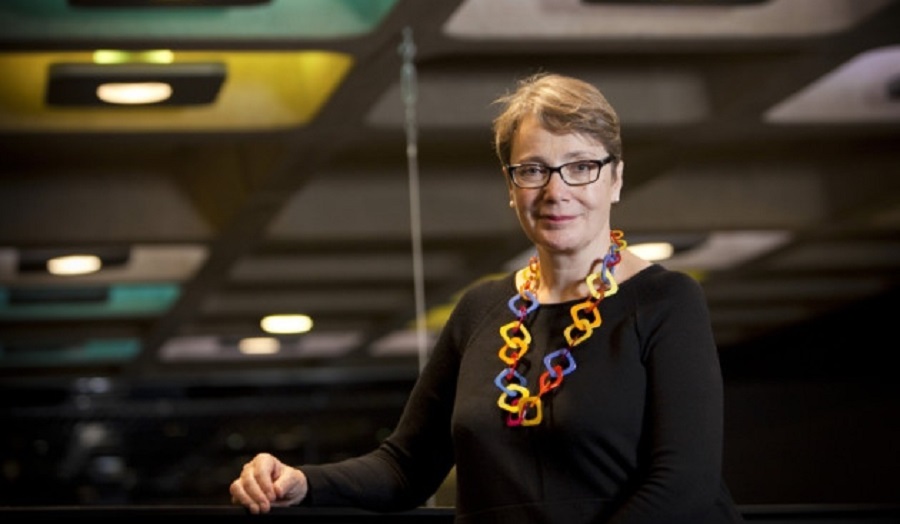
(36,21)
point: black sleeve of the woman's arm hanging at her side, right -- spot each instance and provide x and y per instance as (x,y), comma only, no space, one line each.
(684,406)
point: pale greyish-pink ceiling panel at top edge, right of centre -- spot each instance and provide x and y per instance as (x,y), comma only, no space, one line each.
(579,19)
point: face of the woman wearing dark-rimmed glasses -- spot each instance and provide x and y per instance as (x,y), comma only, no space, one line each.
(560,218)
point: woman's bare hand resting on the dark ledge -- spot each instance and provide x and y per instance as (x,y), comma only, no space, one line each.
(266,482)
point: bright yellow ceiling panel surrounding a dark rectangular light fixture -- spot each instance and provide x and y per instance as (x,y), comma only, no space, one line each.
(264,91)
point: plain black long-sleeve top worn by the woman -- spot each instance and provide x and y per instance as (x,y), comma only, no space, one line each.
(633,434)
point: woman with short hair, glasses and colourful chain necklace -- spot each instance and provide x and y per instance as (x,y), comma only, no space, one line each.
(582,388)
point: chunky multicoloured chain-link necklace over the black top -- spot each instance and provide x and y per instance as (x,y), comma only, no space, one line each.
(526,408)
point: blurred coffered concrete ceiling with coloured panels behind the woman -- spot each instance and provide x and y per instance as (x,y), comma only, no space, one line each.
(344,170)
